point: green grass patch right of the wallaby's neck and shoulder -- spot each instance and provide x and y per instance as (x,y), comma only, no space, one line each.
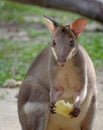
(93,43)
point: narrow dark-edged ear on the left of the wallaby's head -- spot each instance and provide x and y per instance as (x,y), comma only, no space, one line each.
(52,25)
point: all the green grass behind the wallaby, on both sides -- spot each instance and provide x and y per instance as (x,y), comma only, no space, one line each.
(19,53)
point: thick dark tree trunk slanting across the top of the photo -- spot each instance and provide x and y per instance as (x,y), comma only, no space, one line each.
(90,8)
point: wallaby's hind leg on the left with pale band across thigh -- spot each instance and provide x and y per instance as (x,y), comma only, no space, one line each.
(33,107)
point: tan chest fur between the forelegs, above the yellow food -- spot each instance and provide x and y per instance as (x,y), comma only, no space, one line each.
(68,78)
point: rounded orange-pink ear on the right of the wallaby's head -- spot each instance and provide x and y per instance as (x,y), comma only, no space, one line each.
(78,25)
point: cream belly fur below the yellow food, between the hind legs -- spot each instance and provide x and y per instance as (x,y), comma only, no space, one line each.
(58,122)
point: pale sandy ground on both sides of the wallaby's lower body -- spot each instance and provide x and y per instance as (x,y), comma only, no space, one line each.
(8,107)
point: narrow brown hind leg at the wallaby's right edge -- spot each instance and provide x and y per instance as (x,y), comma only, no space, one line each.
(89,119)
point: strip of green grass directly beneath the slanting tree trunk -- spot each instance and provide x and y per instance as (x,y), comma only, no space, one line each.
(18,12)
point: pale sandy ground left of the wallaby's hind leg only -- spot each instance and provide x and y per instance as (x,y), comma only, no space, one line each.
(8,110)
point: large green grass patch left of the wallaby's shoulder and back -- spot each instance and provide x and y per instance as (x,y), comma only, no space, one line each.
(18,55)
